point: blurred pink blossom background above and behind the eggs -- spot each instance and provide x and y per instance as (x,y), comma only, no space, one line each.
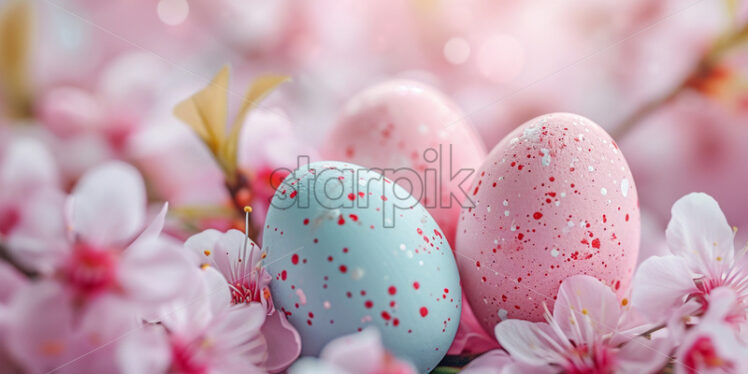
(105,75)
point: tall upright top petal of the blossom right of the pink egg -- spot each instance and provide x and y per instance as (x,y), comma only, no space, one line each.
(698,231)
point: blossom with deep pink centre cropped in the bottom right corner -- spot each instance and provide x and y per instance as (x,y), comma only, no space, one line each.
(712,346)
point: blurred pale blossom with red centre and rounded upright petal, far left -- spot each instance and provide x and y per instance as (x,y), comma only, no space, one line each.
(105,248)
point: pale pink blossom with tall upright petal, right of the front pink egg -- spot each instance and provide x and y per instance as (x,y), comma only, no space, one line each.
(703,258)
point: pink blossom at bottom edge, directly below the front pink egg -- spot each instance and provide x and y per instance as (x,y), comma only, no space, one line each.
(587,333)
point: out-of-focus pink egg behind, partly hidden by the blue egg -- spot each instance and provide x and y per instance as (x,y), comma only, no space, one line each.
(420,135)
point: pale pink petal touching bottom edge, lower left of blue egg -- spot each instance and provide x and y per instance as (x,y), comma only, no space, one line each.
(144,351)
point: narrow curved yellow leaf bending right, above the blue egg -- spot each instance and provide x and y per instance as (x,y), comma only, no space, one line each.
(260,88)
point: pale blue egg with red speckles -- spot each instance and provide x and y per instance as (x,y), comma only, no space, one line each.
(349,249)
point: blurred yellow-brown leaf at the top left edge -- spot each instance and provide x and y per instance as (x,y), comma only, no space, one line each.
(15,35)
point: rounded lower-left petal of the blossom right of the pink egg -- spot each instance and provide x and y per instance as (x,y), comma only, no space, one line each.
(661,285)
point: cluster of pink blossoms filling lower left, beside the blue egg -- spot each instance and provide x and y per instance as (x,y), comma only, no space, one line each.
(100,288)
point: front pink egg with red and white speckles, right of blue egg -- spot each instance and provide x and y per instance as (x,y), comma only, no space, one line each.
(553,199)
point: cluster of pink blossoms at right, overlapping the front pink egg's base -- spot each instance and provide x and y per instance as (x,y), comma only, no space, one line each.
(687,309)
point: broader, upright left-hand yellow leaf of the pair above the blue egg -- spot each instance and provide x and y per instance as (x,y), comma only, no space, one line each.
(206,111)
